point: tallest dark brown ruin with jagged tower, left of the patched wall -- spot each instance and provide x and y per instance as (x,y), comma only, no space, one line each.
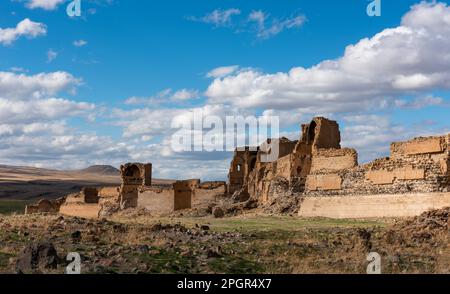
(250,176)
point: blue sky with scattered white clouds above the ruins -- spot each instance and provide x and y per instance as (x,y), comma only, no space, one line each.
(126,68)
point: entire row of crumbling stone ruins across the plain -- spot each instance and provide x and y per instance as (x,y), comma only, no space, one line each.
(324,179)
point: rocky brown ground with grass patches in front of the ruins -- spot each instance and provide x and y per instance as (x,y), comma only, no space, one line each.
(135,242)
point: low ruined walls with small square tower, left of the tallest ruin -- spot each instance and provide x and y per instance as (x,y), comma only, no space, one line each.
(136,191)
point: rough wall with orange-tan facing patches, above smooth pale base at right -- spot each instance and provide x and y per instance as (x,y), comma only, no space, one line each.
(415,166)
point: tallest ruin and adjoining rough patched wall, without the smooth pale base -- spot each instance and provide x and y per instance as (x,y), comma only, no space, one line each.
(317,166)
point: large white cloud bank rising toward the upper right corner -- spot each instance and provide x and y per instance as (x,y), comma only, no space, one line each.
(409,59)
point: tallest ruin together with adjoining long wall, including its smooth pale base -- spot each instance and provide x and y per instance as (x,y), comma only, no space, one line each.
(316,168)
